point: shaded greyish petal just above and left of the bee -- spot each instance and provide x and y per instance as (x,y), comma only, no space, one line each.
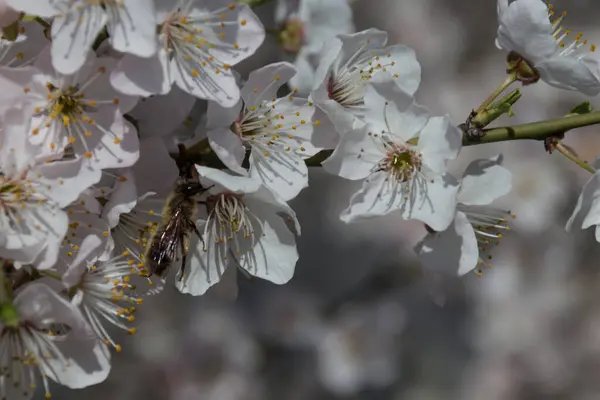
(155,171)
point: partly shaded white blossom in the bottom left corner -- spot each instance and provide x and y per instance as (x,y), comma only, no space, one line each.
(29,348)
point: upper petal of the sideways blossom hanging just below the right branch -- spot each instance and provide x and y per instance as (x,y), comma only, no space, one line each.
(484,181)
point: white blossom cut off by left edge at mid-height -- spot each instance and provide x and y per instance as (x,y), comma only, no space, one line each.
(32,195)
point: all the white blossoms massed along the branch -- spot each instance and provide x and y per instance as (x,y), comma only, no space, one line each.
(97,95)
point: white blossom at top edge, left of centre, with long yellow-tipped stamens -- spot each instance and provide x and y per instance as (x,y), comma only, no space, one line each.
(199,42)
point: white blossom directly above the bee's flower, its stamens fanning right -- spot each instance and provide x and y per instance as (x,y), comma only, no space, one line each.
(279,132)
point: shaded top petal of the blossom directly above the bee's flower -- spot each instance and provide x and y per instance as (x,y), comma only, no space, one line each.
(263,83)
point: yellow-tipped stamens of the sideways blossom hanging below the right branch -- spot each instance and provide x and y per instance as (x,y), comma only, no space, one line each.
(489,225)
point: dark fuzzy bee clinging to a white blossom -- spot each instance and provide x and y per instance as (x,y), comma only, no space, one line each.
(170,241)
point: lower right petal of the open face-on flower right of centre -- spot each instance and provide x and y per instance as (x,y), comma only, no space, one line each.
(433,203)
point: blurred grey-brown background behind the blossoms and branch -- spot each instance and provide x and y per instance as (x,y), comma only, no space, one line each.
(359,320)
